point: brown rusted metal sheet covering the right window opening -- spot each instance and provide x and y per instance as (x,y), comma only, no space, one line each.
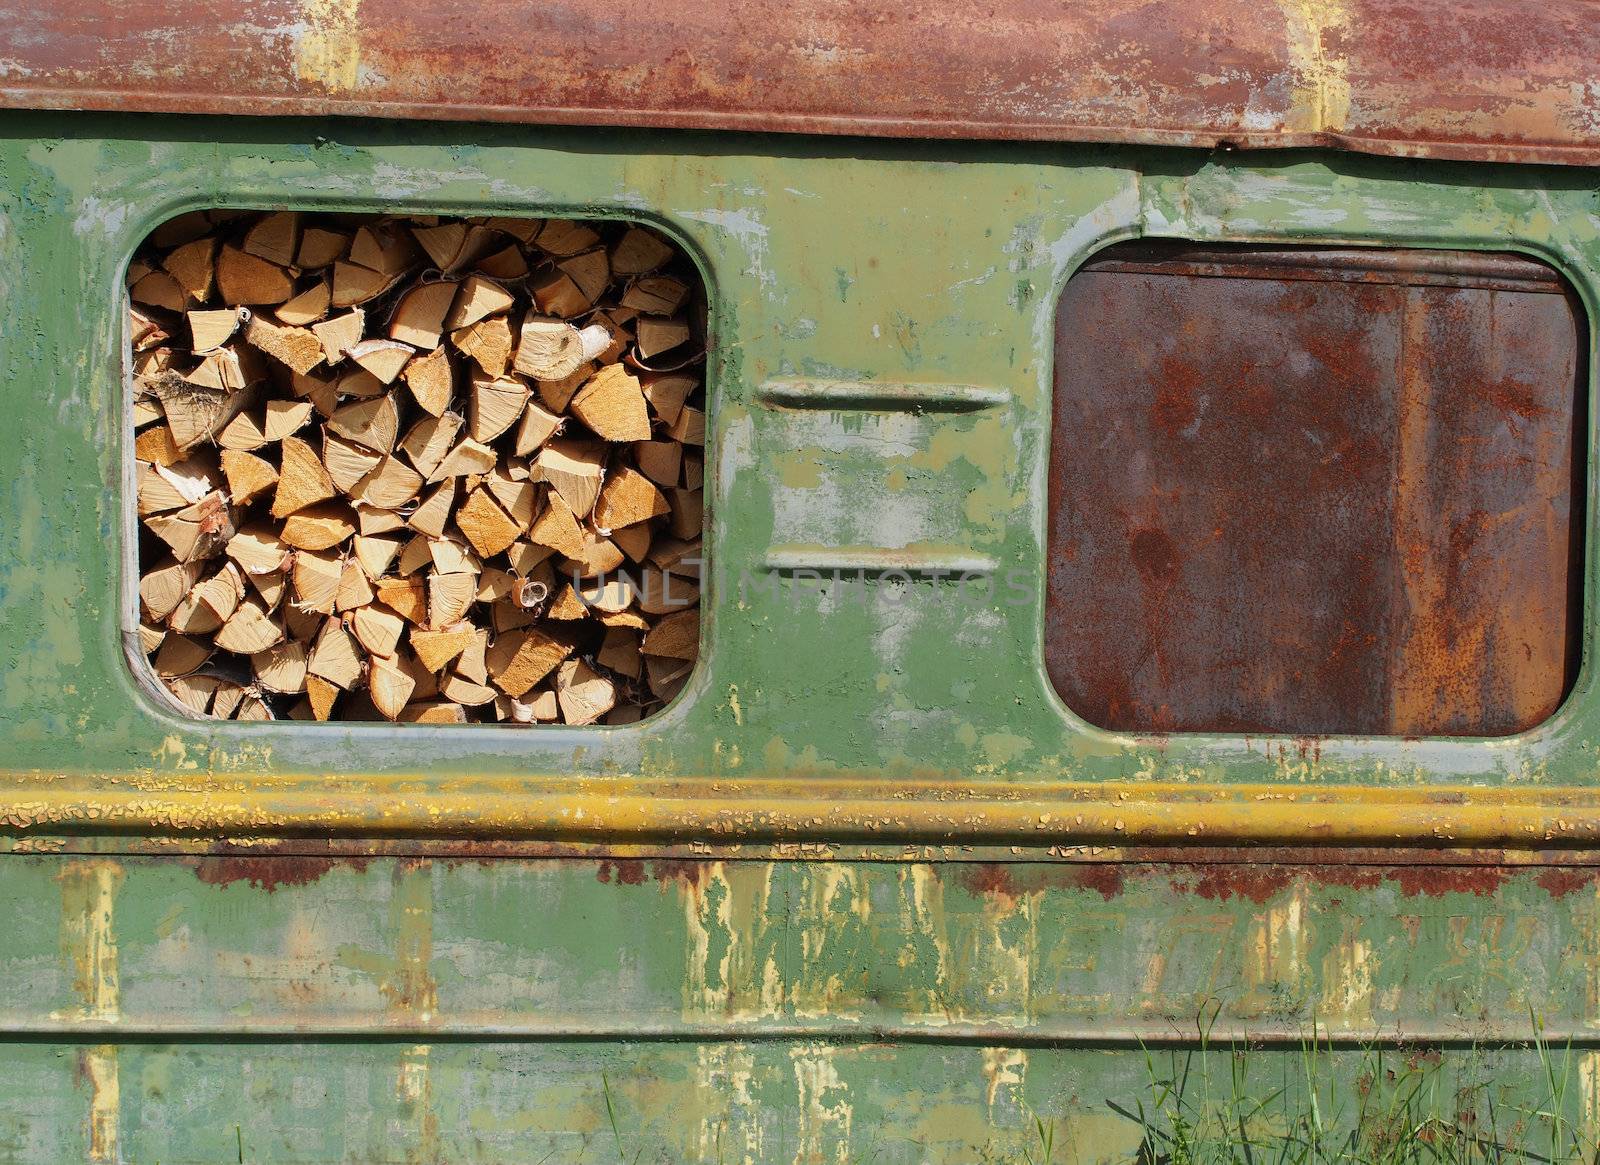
(1316,495)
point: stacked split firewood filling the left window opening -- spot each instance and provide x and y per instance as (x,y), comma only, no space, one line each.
(415,468)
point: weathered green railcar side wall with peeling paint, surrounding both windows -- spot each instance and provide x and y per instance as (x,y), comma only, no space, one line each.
(190,975)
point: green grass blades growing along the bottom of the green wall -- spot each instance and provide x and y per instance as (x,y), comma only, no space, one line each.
(1209,1103)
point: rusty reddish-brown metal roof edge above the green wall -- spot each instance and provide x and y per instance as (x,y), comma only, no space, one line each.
(1510,81)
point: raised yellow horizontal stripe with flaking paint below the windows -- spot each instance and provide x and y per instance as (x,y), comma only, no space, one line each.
(791,811)
